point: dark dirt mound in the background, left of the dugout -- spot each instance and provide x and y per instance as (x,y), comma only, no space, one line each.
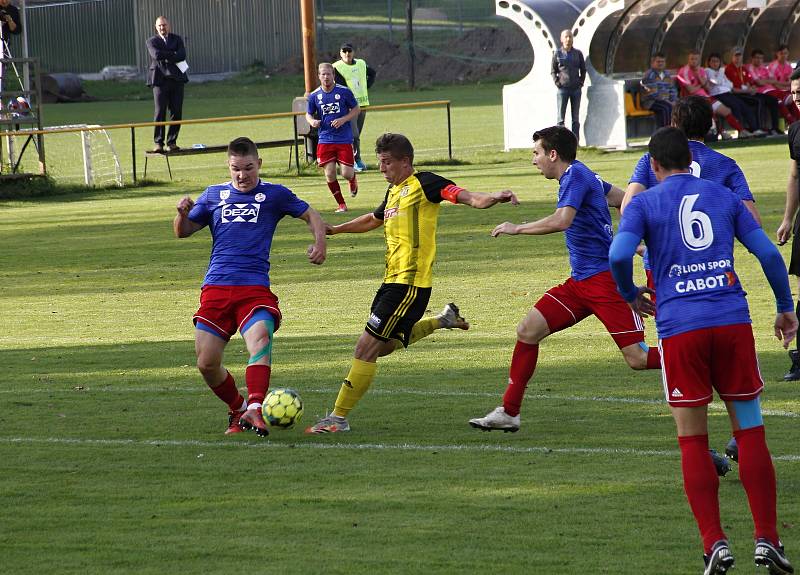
(478,54)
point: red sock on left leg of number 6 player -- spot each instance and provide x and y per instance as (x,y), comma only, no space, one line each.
(701,484)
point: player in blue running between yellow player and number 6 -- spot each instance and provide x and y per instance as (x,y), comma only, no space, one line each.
(582,214)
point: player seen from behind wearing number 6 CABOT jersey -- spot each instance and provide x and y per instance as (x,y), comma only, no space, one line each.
(689,225)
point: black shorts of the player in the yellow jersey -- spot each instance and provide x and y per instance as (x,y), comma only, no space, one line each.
(395,310)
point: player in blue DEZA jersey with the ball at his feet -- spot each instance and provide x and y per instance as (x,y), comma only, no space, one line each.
(242,215)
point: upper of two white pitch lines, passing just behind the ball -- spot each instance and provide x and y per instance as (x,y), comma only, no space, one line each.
(425,393)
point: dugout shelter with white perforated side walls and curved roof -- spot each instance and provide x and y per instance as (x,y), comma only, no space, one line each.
(617,38)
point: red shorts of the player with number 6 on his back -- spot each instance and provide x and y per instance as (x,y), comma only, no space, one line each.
(695,363)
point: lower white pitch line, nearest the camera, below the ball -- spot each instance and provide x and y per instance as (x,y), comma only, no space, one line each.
(457,448)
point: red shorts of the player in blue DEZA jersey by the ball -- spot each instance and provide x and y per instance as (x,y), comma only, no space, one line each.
(226,308)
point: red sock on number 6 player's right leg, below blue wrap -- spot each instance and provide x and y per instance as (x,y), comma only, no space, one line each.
(757,475)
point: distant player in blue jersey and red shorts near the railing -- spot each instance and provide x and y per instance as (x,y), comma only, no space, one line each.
(330,109)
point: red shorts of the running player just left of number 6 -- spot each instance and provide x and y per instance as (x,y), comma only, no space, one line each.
(567,304)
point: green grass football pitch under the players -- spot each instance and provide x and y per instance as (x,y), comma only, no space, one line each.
(112,458)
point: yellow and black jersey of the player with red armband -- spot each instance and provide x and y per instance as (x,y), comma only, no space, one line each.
(410,212)
